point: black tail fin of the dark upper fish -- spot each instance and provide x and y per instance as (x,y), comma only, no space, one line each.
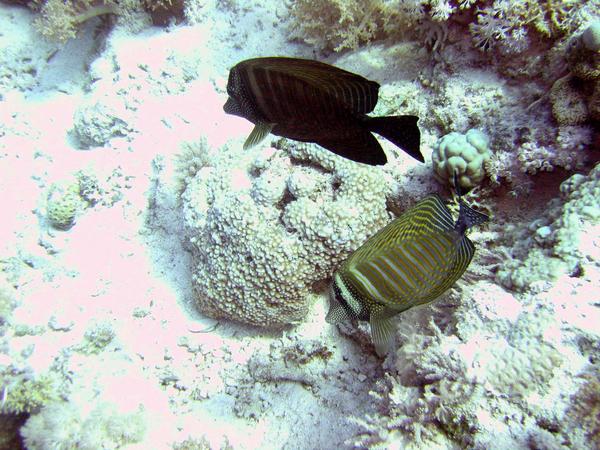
(401,130)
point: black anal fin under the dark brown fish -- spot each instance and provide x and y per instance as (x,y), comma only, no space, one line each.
(360,146)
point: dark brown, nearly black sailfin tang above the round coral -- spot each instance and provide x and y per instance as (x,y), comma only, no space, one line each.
(311,101)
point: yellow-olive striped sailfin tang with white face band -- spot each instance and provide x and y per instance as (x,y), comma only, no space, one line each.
(410,262)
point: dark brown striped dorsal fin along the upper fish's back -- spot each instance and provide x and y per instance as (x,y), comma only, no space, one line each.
(353,91)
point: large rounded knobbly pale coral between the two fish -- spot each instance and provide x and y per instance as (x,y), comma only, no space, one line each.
(264,228)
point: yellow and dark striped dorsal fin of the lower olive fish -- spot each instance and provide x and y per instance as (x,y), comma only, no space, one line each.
(430,215)
